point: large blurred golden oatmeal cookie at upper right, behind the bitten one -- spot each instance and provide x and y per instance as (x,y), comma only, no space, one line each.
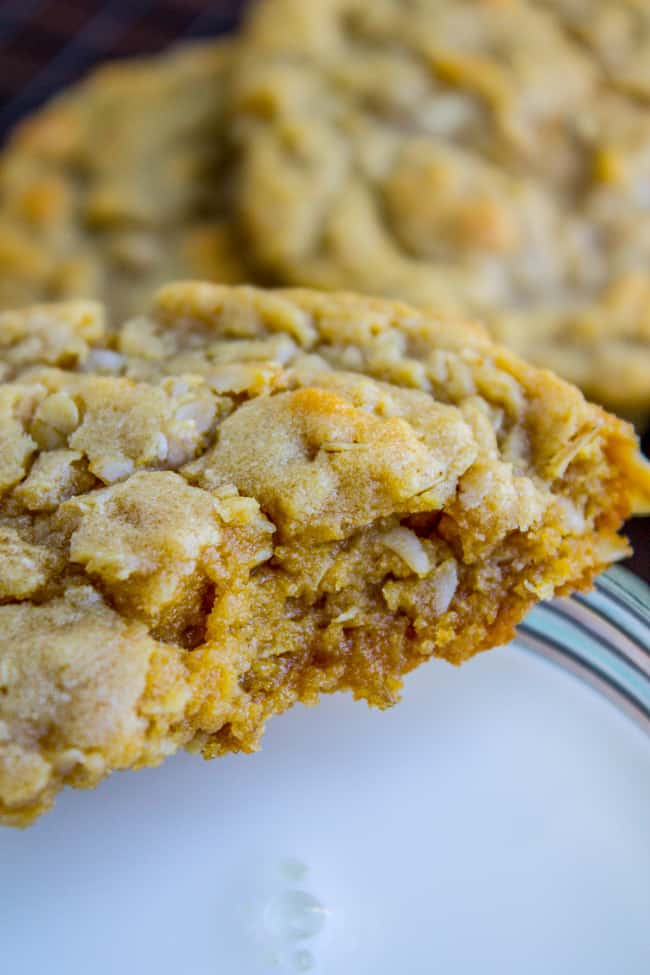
(473,157)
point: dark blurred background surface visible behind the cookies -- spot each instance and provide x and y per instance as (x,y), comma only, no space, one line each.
(47,44)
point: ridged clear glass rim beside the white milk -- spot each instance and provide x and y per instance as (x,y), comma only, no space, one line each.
(602,636)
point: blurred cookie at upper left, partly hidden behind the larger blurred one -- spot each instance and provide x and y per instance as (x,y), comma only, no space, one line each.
(116,187)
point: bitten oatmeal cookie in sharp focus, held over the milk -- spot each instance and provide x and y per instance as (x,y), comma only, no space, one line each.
(242,499)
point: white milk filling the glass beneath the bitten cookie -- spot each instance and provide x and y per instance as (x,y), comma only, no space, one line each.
(497,821)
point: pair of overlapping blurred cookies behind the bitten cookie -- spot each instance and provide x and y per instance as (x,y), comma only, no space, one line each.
(483,158)
